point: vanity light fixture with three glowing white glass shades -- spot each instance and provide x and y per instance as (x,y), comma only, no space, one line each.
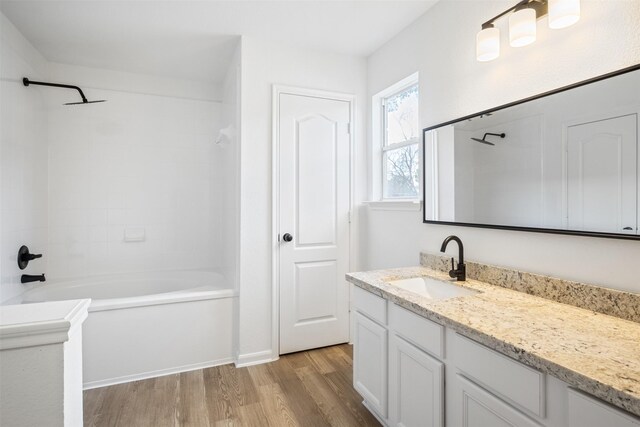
(522,24)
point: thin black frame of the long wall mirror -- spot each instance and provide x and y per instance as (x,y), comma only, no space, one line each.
(511,104)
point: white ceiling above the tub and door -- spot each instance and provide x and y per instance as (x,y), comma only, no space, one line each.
(196,39)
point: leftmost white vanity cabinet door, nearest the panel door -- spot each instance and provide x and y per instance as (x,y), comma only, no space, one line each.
(370,363)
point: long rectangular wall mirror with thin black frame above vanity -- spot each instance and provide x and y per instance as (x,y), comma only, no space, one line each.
(565,161)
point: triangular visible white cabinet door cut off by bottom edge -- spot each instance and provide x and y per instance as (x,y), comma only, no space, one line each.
(477,407)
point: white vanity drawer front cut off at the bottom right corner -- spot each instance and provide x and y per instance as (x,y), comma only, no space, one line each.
(587,411)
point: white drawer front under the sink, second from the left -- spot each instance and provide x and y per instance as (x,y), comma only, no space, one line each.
(422,332)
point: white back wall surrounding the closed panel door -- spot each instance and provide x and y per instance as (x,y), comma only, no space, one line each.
(263,65)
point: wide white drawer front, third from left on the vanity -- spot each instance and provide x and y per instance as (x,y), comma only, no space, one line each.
(511,380)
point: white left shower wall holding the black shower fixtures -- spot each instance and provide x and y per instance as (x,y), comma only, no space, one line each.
(23,159)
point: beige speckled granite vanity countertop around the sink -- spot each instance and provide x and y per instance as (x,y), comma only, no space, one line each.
(593,352)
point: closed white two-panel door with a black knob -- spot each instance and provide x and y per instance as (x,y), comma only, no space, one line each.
(314,193)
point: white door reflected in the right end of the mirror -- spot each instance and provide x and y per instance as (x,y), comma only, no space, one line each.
(602,178)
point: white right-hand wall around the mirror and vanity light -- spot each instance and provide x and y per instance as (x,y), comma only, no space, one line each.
(441,46)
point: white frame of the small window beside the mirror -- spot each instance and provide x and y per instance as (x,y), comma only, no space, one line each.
(385,147)
